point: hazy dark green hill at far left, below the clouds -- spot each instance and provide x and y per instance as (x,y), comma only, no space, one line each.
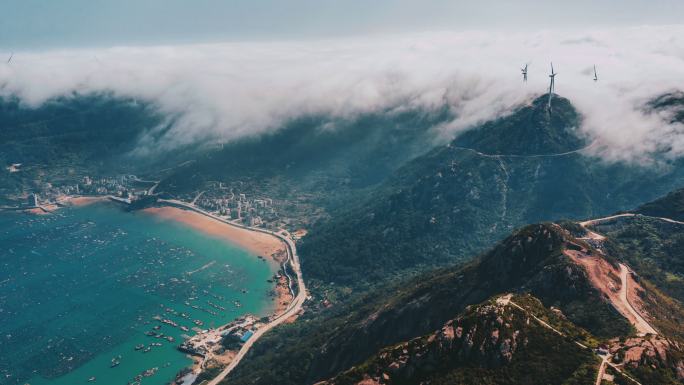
(68,137)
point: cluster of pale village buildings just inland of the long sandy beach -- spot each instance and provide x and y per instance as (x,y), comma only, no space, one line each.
(251,212)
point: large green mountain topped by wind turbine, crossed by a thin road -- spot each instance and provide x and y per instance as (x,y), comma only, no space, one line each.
(460,198)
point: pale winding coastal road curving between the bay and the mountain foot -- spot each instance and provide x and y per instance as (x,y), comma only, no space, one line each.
(294,307)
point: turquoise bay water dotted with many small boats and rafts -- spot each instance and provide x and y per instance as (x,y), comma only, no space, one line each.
(81,287)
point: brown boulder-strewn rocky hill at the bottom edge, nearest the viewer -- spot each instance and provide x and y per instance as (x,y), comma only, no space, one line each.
(488,336)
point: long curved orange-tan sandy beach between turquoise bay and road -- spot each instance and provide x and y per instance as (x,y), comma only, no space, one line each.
(260,244)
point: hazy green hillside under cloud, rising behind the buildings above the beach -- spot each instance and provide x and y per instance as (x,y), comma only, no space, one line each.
(316,154)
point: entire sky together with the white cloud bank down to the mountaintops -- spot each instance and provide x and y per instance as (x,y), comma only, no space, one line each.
(226,69)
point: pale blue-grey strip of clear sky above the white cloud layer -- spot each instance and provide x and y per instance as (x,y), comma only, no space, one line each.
(37,24)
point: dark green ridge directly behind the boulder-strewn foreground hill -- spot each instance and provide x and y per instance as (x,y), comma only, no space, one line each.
(529,261)
